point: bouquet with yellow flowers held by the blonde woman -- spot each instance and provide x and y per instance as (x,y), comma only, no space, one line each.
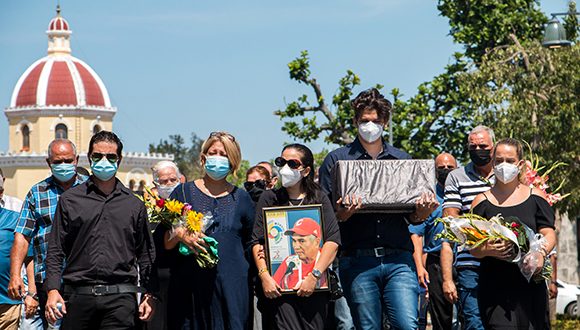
(175,214)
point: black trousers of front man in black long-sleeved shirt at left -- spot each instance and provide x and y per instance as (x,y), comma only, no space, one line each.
(88,312)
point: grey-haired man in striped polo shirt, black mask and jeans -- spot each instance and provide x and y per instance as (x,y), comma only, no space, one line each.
(461,187)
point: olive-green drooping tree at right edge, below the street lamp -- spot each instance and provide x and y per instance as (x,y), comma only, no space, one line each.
(531,93)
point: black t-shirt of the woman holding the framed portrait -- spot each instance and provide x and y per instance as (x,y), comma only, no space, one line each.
(271,198)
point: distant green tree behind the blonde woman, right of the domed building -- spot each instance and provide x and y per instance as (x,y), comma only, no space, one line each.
(186,156)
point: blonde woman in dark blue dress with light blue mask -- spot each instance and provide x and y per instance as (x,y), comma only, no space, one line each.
(216,298)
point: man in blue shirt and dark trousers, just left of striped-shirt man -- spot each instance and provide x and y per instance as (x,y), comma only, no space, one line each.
(423,237)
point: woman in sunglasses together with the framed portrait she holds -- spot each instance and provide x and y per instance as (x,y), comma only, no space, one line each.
(303,274)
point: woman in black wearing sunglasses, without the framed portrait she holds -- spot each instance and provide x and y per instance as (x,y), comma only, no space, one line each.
(305,309)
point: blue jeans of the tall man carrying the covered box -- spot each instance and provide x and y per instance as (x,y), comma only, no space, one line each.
(369,283)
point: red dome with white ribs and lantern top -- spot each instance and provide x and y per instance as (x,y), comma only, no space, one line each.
(59,79)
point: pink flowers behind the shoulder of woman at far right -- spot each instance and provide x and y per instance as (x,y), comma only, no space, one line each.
(533,178)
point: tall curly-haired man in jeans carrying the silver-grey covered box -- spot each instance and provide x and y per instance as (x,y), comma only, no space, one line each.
(376,264)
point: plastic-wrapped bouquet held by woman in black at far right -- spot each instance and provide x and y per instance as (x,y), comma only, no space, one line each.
(470,231)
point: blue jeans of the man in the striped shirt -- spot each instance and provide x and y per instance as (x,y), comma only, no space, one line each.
(467,286)
